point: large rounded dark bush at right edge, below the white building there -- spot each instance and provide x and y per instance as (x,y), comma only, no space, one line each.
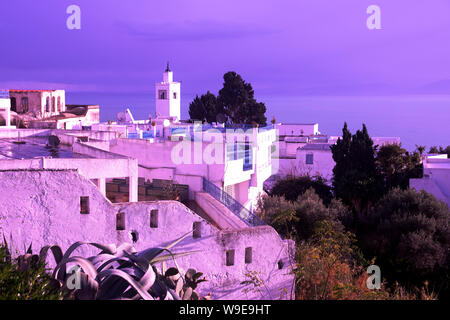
(408,232)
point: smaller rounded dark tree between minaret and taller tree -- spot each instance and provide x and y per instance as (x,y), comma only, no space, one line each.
(204,108)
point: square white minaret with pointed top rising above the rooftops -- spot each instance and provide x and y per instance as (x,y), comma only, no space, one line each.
(168,96)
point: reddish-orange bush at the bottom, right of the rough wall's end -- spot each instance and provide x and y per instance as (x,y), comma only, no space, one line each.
(330,266)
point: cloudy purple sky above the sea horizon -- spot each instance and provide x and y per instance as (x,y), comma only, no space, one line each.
(281,47)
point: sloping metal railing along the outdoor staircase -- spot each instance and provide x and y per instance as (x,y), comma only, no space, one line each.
(232,204)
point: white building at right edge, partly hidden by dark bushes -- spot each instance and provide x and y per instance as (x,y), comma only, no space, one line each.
(436,177)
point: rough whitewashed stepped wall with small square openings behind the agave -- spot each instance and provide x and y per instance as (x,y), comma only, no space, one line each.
(42,207)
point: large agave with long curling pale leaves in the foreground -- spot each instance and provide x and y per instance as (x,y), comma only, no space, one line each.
(120,273)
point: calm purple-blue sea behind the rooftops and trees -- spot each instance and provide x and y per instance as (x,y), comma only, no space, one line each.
(416,119)
